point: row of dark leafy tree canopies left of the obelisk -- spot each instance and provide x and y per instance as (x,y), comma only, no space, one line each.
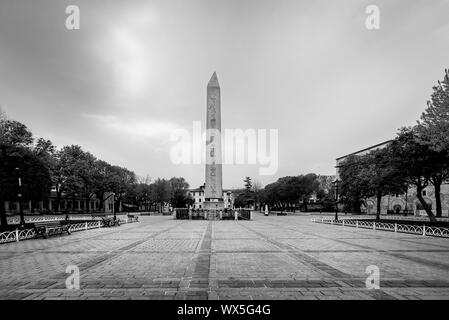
(73,172)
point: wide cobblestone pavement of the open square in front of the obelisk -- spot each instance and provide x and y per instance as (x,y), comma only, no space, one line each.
(267,258)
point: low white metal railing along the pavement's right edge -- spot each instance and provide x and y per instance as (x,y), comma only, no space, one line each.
(394,227)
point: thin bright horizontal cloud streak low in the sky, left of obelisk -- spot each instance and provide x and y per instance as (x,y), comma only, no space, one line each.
(134,128)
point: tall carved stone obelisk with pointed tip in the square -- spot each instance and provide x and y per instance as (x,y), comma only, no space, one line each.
(214,183)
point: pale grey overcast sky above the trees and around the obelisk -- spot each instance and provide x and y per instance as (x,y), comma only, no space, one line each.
(137,70)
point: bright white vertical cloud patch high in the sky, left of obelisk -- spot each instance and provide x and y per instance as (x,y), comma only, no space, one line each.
(122,46)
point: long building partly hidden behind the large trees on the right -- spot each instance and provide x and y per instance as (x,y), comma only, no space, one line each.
(401,202)
